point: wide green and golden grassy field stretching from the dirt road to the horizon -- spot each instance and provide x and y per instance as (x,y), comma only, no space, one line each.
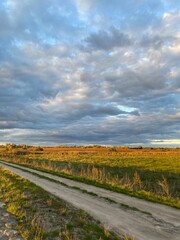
(149,173)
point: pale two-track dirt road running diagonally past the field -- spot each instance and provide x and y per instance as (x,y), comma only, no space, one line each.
(148,221)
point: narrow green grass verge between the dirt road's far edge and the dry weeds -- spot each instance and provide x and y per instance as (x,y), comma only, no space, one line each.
(149,196)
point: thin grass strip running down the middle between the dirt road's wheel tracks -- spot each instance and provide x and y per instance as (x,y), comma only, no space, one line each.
(121,205)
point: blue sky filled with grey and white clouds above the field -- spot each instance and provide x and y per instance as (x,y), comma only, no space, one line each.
(80,72)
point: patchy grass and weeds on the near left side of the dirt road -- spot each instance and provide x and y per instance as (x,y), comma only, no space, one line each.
(43,216)
